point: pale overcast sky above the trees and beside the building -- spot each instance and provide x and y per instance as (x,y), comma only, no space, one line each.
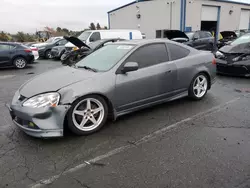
(29,15)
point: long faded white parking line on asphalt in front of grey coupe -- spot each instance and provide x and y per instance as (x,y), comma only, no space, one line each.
(145,139)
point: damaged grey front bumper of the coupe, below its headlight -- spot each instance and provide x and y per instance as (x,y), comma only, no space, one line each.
(39,122)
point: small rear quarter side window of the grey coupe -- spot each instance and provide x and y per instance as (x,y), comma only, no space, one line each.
(177,52)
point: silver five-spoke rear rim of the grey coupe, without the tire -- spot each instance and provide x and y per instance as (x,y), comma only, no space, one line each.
(200,86)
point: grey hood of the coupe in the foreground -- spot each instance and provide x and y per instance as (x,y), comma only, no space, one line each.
(54,80)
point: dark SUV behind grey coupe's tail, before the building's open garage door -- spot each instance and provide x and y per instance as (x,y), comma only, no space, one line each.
(201,40)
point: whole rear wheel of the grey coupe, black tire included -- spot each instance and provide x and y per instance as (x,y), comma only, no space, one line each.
(198,89)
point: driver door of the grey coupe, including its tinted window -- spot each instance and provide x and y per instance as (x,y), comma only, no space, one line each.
(137,88)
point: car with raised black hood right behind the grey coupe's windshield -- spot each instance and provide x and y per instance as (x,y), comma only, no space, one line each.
(72,57)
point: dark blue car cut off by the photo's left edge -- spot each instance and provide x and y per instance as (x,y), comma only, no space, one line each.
(15,54)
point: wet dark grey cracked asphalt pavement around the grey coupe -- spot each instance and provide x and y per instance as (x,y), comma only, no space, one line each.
(178,144)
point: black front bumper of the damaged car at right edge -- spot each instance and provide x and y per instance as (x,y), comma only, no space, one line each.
(234,69)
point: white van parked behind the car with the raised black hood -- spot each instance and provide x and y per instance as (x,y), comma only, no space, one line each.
(94,35)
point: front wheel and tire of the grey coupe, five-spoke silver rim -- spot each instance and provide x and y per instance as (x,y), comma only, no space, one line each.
(81,118)
